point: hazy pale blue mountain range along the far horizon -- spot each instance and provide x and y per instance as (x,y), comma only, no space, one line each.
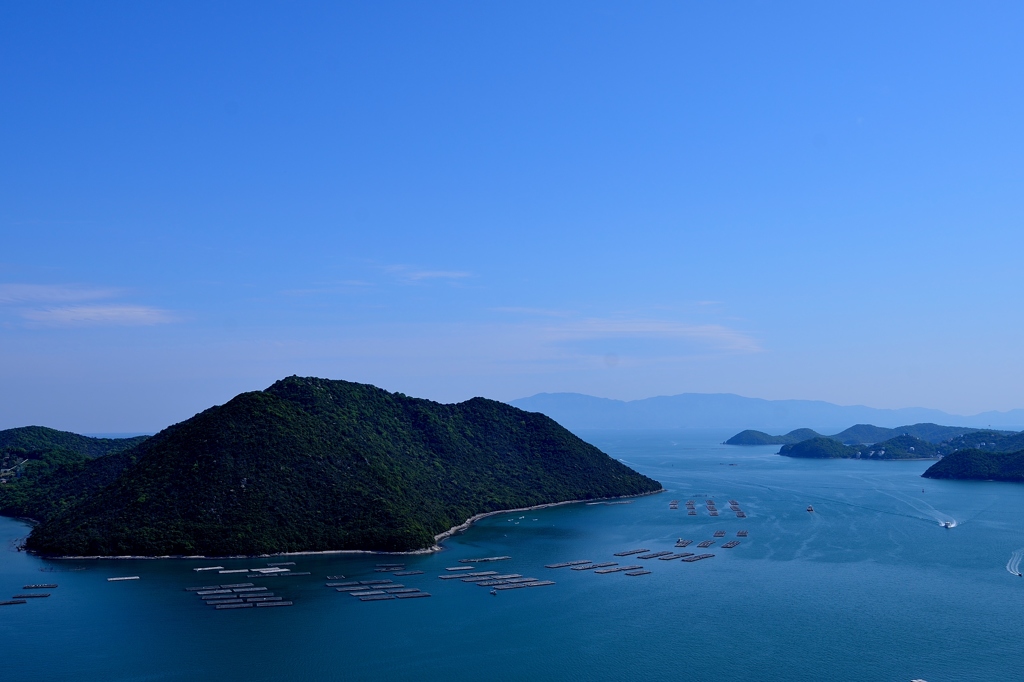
(579,412)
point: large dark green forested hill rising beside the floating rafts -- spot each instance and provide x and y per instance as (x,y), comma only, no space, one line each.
(311,464)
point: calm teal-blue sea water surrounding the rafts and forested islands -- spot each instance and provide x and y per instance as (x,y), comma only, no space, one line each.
(870,587)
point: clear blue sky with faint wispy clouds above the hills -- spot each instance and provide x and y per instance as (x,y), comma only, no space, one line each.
(801,201)
